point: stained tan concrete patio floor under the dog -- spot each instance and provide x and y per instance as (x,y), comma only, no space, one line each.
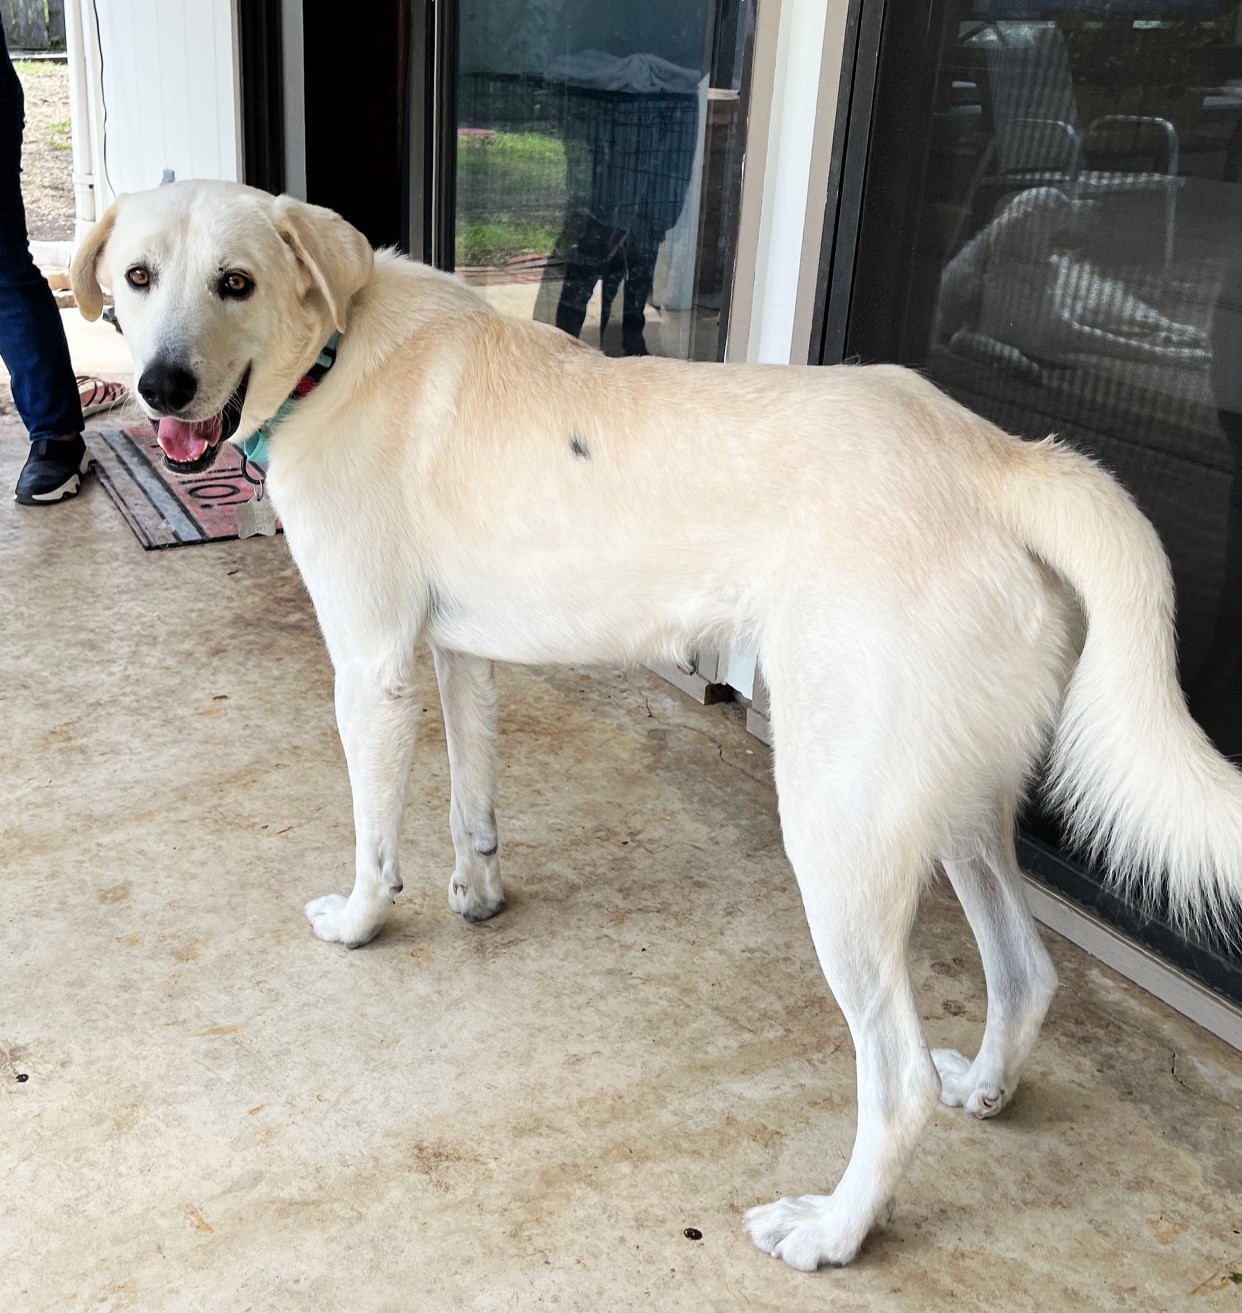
(203,1108)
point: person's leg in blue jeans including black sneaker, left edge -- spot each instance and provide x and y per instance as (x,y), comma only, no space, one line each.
(32,338)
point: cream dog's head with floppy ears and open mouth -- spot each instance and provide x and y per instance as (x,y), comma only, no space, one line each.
(225,295)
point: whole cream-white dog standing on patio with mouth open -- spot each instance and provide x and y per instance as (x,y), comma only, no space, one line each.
(914,580)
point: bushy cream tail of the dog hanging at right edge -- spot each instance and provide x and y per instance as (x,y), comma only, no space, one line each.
(1139,782)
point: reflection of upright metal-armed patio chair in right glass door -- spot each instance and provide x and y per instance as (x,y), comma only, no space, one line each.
(1037,141)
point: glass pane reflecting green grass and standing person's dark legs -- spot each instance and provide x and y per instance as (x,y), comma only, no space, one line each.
(599,163)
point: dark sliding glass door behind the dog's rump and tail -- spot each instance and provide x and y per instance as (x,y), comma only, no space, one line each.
(1047,204)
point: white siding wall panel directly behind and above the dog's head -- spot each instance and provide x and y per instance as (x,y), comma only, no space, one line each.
(169,75)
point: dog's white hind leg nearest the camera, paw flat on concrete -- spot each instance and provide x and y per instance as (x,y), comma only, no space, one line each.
(859,870)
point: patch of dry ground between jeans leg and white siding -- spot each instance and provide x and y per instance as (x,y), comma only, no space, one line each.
(48,161)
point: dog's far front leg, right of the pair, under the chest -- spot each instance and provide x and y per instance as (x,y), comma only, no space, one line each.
(468,694)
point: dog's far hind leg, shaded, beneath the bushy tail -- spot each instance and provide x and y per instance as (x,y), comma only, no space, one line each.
(1019,972)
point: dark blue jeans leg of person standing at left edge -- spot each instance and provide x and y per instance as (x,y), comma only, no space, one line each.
(32,337)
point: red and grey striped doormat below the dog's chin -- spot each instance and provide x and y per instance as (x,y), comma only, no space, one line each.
(163,509)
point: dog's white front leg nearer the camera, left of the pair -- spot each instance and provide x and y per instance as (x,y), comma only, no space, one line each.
(376,718)
